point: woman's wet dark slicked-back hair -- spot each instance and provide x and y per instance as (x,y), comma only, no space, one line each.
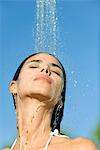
(58,109)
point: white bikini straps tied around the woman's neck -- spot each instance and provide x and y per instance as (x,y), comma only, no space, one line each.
(54,133)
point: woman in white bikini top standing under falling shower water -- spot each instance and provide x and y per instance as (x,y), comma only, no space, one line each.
(38,90)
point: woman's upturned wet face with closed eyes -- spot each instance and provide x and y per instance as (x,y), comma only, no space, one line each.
(41,77)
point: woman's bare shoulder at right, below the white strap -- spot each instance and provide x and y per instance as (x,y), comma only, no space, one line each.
(75,144)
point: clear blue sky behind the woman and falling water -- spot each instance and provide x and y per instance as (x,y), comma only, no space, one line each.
(78,51)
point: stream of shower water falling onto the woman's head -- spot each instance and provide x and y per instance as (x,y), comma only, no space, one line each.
(46,26)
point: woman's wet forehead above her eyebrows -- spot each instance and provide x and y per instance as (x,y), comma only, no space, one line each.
(45,58)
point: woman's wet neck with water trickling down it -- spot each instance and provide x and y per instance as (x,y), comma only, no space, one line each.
(34,120)
